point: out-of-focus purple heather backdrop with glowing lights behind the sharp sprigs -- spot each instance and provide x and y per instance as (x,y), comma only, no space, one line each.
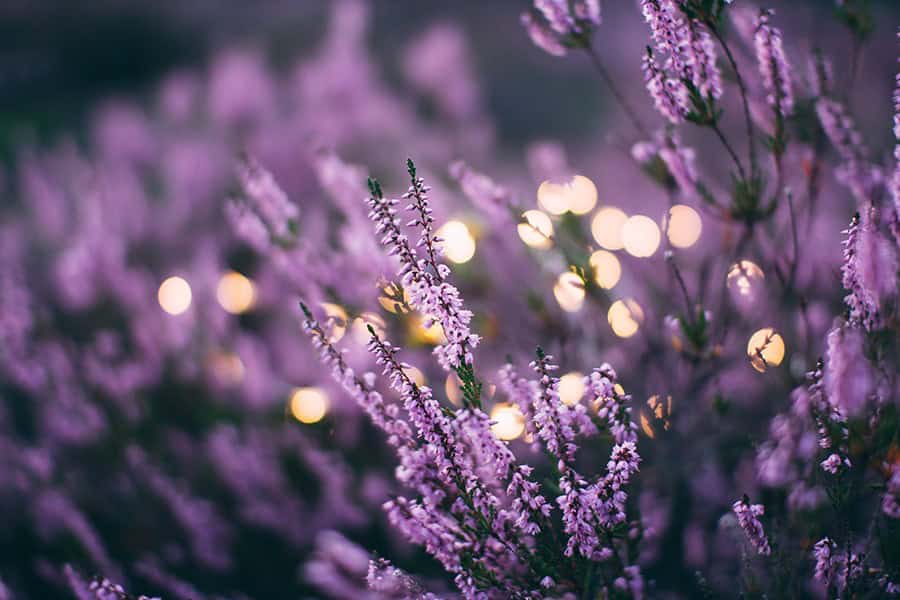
(164,422)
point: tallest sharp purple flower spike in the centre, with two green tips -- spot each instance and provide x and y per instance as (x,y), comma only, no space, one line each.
(425,278)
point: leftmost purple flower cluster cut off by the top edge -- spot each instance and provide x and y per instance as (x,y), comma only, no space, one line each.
(553,24)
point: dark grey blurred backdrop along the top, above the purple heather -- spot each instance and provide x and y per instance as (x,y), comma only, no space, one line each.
(58,58)
